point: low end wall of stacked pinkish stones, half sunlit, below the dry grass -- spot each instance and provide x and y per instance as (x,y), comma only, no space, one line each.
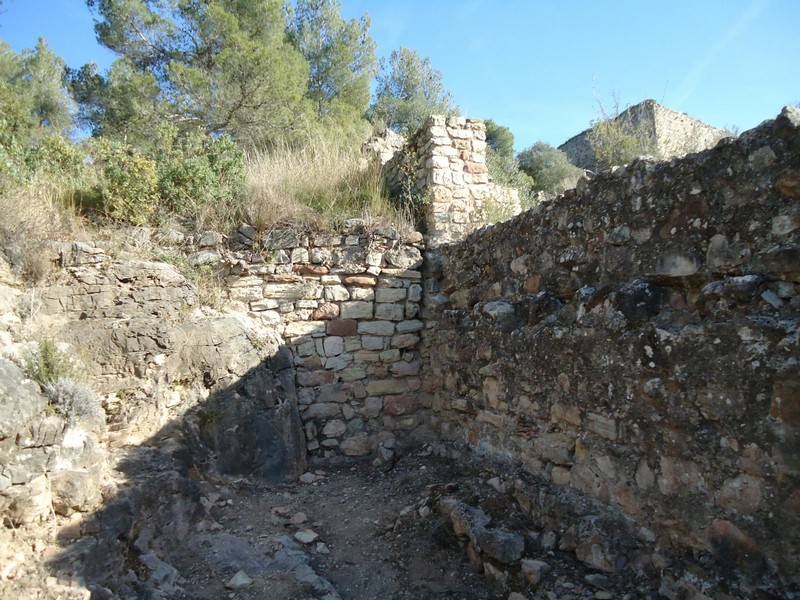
(347,306)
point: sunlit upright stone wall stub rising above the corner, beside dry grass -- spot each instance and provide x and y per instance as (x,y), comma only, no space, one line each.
(444,167)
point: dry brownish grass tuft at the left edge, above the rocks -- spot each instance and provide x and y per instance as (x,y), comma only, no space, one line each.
(32,216)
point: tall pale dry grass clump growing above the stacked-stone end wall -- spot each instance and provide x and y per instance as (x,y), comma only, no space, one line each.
(319,184)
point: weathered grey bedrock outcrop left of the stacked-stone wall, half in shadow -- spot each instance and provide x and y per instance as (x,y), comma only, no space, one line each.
(157,361)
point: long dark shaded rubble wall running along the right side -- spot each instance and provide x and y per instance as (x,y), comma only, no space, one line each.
(636,341)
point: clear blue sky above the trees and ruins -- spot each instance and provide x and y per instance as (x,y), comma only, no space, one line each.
(539,66)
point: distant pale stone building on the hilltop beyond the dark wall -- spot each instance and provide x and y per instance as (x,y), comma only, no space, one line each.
(667,132)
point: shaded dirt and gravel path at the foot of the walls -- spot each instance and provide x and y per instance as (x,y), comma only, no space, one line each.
(377,537)
